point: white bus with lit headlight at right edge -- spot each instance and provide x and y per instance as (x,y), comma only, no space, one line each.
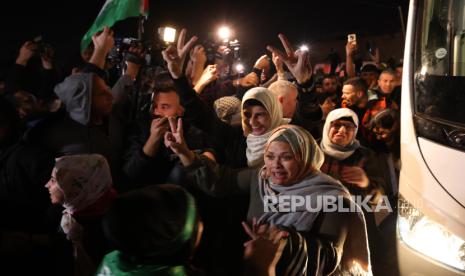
(431,214)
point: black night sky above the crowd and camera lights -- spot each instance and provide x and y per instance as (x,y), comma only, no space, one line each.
(256,23)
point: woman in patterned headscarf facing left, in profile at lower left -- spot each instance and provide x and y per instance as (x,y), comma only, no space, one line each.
(82,184)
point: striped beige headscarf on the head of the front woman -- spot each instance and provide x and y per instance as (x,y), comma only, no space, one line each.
(304,147)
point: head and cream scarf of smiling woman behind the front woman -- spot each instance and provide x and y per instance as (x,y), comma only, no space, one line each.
(261,114)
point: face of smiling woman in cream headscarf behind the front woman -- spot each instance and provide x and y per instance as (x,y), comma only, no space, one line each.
(257,119)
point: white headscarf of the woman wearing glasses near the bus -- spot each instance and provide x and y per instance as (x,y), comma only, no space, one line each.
(333,150)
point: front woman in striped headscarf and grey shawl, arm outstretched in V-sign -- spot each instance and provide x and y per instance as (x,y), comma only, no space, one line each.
(319,242)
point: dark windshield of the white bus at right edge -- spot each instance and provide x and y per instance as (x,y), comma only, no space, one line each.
(439,79)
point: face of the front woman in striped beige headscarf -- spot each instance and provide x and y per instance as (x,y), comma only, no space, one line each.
(281,163)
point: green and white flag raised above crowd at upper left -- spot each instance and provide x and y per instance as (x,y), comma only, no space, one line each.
(111,12)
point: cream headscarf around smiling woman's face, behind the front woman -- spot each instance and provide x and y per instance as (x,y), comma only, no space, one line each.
(256,144)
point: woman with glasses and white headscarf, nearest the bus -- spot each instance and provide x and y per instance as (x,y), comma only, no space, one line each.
(358,169)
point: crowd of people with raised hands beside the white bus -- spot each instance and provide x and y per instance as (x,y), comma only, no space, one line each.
(170,170)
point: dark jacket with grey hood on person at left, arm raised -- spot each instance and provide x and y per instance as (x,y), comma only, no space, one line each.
(74,134)
